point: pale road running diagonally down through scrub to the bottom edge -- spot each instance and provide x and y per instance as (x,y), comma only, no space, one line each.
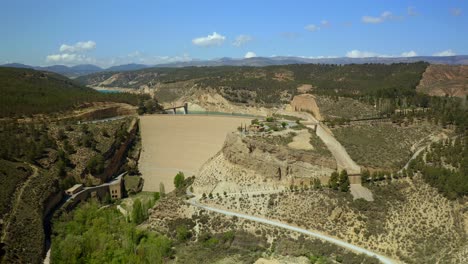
(193,201)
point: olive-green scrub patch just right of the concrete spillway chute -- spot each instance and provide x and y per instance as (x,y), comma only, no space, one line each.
(382,145)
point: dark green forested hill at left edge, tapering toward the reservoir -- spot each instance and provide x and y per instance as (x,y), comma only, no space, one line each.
(27,92)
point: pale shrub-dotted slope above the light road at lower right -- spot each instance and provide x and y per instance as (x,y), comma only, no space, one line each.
(408,220)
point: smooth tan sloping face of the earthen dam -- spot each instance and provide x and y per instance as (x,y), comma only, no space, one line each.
(180,143)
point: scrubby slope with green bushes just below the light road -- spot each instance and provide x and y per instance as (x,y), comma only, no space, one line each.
(222,239)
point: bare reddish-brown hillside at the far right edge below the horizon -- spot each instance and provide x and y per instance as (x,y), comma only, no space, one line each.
(441,80)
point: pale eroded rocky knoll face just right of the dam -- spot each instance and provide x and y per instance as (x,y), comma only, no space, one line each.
(245,164)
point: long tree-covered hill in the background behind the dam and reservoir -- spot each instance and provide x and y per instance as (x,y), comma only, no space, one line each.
(269,84)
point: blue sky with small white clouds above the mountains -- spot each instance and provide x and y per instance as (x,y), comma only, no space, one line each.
(105,32)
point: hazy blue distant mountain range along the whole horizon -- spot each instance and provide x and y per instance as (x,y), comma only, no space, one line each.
(85,69)
